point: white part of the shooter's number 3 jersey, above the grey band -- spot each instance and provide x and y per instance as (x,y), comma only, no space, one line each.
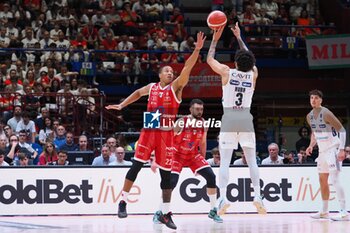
(238,91)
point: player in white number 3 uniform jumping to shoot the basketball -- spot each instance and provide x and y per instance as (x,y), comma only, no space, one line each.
(237,123)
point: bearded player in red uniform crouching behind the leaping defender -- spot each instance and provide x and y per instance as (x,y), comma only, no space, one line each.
(190,149)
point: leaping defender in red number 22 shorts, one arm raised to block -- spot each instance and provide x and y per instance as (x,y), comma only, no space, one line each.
(164,98)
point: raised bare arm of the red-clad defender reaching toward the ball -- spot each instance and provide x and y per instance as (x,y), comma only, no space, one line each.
(183,78)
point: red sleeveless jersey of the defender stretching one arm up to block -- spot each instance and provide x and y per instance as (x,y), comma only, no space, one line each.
(164,100)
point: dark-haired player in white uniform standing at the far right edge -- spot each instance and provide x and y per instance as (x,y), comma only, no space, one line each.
(330,136)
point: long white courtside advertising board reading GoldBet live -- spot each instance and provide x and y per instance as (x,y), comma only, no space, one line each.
(41,191)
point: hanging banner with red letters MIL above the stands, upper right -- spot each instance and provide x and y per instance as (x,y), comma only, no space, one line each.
(326,52)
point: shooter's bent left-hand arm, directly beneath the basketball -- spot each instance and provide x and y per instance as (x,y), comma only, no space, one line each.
(221,69)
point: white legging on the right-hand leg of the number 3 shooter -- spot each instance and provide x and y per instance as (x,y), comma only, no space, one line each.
(253,169)
